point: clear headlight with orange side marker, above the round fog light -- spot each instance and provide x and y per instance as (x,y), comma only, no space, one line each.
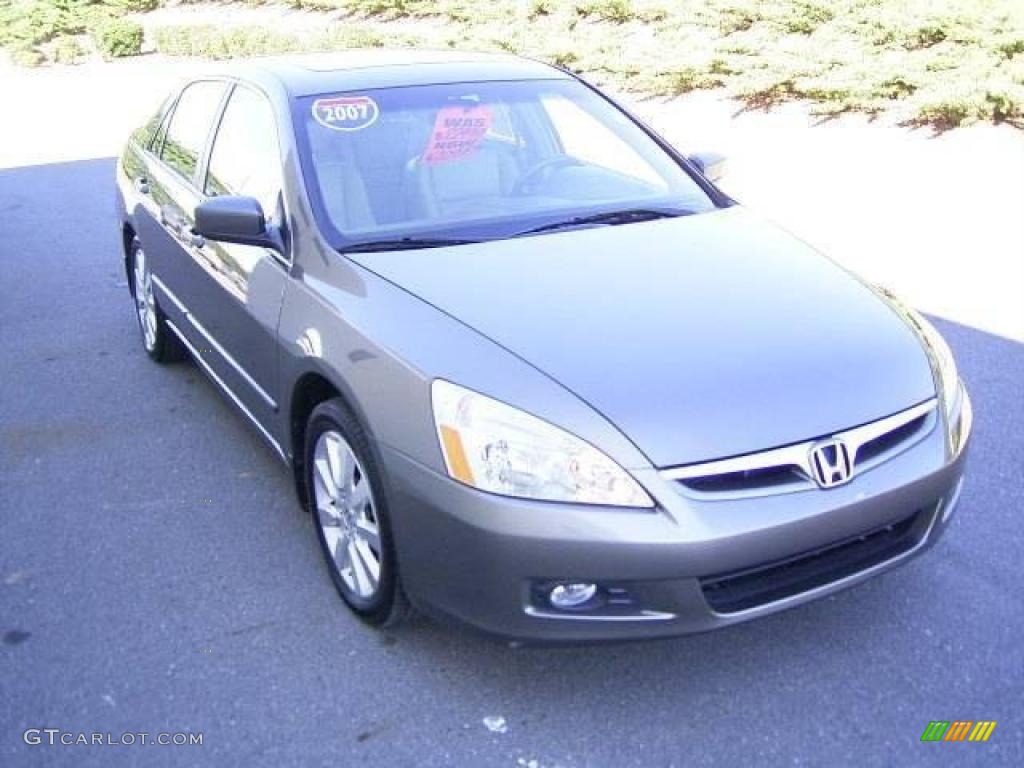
(502,450)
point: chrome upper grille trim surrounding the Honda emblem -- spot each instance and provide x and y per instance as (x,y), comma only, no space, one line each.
(799,455)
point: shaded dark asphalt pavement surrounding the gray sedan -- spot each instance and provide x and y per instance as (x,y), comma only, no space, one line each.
(158,576)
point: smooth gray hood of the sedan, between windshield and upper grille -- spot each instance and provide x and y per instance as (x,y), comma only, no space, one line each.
(699,337)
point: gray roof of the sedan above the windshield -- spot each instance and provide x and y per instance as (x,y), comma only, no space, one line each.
(383,68)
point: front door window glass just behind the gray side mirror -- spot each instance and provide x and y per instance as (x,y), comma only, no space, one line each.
(245,159)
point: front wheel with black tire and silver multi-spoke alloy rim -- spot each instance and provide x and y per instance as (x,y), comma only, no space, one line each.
(350,511)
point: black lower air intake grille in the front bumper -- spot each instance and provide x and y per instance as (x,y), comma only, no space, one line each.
(741,590)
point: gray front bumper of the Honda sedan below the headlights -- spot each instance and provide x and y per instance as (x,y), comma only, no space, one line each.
(691,566)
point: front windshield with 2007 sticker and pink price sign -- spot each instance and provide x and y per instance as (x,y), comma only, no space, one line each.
(464,162)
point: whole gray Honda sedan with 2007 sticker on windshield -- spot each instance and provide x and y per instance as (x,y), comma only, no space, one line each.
(533,371)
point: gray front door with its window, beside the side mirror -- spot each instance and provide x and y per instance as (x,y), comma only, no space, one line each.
(237,308)
